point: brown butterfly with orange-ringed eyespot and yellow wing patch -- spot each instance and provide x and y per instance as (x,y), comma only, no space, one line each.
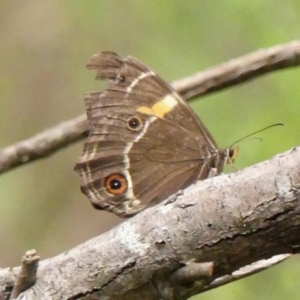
(145,142)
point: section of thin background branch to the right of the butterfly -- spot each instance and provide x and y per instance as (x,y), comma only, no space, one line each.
(242,69)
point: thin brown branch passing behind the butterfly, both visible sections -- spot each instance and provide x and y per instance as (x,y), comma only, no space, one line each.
(215,79)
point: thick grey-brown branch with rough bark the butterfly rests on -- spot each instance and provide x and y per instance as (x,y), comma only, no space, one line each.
(230,221)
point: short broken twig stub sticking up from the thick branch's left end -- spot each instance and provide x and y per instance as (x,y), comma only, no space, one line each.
(27,275)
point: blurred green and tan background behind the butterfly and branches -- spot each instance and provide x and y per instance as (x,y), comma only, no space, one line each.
(44,46)
